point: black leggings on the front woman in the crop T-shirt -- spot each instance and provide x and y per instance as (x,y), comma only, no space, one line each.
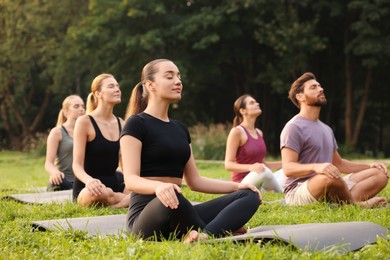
(148,217)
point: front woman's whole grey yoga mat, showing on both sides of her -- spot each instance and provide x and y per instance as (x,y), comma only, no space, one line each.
(341,236)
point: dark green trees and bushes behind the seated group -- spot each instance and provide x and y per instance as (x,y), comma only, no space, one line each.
(224,48)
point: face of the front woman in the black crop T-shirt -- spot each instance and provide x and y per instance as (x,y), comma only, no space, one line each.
(167,81)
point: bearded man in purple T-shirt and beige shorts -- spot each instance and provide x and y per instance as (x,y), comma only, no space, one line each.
(311,162)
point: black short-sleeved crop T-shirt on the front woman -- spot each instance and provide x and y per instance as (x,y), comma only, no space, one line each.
(165,145)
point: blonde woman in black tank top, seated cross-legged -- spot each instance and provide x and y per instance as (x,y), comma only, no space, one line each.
(96,148)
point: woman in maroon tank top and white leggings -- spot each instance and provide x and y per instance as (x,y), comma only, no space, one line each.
(246,149)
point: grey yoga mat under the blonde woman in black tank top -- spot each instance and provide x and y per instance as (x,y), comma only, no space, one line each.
(42,197)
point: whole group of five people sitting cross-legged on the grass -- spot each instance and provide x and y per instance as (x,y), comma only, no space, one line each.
(140,163)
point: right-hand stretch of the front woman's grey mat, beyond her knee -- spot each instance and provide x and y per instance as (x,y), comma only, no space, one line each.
(341,236)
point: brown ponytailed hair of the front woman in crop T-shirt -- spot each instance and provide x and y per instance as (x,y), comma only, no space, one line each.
(139,96)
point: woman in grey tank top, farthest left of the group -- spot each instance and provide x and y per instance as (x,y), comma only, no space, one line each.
(59,147)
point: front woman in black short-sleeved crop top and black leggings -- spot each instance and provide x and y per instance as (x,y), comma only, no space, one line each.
(157,155)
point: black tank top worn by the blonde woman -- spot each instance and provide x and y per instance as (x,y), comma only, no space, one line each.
(101,161)
